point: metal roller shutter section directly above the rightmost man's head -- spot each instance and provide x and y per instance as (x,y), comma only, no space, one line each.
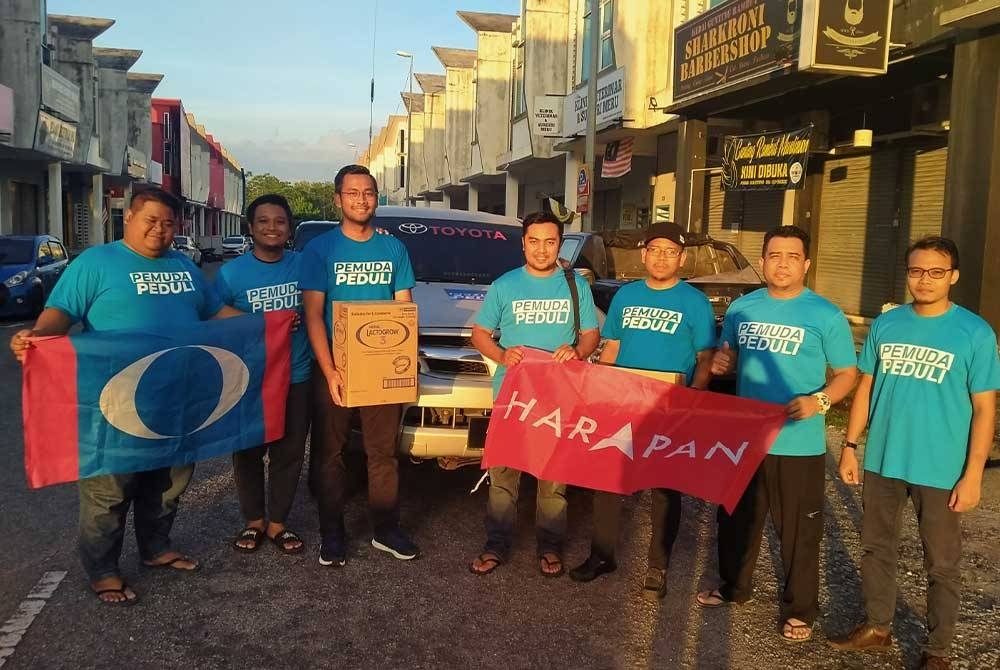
(921,206)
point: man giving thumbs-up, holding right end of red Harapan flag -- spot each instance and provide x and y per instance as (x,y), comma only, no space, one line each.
(781,340)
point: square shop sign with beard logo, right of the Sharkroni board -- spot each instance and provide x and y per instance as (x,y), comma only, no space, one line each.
(846,36)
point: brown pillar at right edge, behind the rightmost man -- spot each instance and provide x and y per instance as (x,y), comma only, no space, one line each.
(972,194)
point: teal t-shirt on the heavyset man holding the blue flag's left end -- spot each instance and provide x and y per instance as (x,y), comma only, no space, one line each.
(111,287)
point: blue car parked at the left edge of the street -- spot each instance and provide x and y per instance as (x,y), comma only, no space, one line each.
(30,266)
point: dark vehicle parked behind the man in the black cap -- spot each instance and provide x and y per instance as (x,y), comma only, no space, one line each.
(609,262)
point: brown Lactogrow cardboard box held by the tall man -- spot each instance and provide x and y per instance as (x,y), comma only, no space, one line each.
(375,349)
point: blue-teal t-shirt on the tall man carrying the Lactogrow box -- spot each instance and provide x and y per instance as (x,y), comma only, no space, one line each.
(345,269)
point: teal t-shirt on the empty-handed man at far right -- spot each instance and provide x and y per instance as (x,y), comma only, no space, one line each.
(924,370)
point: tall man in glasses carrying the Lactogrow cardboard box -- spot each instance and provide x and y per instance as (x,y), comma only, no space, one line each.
(353,262)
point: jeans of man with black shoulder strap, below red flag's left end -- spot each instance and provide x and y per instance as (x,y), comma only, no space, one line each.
(501,511)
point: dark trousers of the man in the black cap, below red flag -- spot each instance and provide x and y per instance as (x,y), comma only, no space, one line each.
(666,523)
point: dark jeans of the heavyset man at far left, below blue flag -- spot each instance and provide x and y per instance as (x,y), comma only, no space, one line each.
(104,502)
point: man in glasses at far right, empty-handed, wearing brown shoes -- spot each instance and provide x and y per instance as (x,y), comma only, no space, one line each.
(930,373)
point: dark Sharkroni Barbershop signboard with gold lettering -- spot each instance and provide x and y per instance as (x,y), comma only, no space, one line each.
(734,42)
